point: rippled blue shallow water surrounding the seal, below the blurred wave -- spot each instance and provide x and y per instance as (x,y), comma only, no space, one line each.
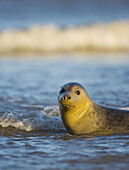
(32,135)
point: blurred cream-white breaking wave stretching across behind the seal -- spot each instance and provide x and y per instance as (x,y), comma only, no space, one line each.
(50,38)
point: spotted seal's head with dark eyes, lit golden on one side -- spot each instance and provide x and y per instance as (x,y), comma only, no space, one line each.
(72,96)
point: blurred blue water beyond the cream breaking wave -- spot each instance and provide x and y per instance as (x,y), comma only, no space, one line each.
(22,14)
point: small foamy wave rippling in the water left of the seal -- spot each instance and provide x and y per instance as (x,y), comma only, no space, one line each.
(32,121)
